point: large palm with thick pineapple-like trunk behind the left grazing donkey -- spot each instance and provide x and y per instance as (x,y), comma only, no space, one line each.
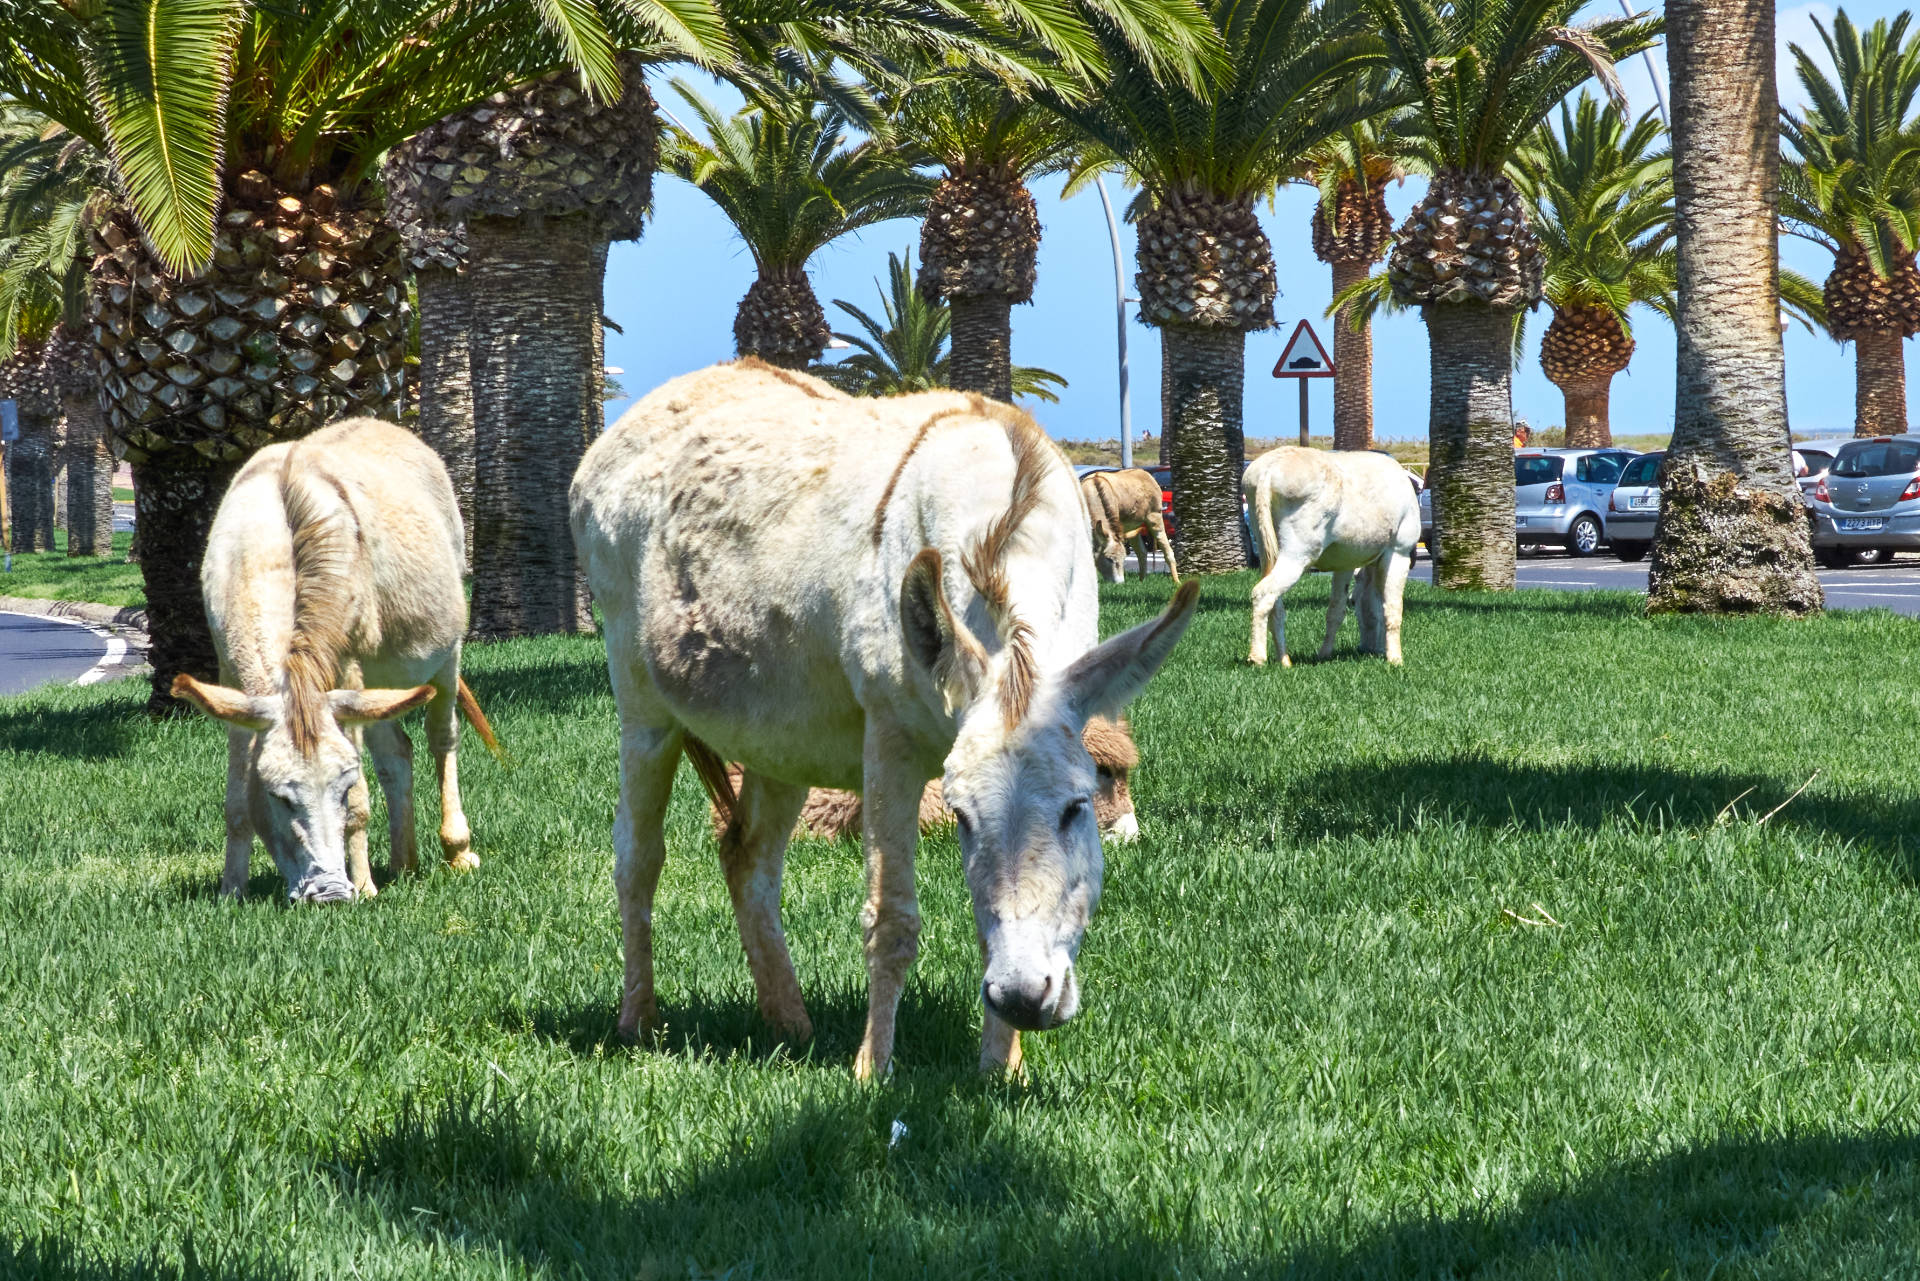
(247,289)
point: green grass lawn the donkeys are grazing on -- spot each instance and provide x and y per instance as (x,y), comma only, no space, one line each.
(1314,1040)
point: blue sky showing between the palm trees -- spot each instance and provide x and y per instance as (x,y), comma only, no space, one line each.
(675,295)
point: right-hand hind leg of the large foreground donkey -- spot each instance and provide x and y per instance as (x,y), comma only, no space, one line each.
(754,852)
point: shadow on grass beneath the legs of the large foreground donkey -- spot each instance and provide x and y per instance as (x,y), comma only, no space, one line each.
(938,1028)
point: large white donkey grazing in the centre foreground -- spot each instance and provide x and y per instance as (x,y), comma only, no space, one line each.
(859,594)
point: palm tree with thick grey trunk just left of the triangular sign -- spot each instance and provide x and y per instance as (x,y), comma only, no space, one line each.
(1205,155)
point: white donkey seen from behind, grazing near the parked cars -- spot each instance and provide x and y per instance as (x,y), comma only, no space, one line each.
(1335,512)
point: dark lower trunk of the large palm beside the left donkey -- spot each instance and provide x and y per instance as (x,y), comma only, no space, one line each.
(174,512)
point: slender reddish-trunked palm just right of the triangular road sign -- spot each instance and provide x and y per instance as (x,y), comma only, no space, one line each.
(1351,233)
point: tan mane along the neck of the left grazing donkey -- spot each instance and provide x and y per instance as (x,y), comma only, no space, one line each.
(324,552)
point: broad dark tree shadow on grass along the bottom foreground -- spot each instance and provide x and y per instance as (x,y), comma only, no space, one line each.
(823,1190)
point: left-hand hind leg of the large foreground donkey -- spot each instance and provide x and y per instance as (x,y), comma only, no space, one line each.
(648,760)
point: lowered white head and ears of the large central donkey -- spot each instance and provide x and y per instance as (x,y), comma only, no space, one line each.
(1022,786)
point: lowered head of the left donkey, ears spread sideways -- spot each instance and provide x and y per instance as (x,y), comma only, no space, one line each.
(300,769)
